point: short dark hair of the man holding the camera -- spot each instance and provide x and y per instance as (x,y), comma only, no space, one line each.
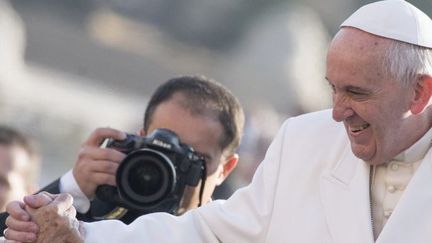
(203,96)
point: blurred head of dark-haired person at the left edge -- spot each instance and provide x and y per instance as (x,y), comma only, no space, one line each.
(19,165)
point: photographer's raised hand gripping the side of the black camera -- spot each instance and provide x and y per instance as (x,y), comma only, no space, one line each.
(95,165)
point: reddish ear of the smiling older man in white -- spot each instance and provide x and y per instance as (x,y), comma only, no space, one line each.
(423,92)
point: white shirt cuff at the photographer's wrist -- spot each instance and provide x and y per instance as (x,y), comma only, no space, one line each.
(69,185)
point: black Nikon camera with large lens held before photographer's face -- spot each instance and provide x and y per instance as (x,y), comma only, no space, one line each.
(153,175)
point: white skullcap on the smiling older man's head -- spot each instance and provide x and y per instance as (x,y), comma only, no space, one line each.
(393,19)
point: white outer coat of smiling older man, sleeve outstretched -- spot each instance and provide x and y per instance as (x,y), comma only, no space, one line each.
(310,188)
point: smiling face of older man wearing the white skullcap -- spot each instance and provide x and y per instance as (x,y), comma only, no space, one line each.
(374,108)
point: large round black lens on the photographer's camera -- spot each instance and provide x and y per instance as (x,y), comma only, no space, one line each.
(145,177)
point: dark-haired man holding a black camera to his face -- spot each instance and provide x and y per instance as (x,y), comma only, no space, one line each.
(202,113)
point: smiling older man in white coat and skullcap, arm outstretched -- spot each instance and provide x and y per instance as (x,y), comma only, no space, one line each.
(364,178)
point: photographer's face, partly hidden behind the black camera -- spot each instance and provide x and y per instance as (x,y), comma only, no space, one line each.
(201,132)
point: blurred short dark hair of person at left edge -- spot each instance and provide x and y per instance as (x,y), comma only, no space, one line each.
(14,138)
